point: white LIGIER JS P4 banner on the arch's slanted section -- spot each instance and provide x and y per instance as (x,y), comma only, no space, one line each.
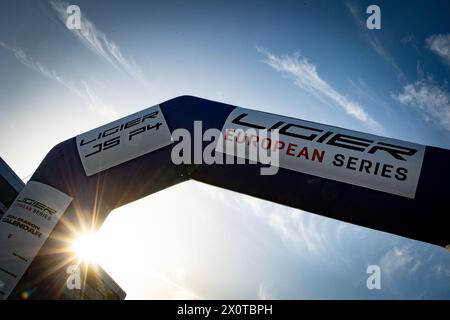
(123,140)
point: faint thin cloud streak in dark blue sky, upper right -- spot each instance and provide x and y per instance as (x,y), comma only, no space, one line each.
(371,37)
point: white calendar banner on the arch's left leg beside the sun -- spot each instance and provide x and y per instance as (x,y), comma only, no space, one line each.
(24,228)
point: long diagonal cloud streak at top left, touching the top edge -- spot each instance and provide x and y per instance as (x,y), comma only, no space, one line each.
(96,41)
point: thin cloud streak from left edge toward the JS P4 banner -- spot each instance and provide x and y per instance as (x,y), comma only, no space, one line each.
(85,92)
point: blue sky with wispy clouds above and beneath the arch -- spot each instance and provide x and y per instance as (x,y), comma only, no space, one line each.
(311,60)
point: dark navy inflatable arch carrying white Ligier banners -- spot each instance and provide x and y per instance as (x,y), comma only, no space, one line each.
(375,182)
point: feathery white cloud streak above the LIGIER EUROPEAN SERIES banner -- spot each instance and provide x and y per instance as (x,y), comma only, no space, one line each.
(306,77)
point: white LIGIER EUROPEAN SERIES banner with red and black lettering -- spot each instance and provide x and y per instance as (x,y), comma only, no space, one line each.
(360,159)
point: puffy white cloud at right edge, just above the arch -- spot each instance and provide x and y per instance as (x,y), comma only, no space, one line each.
(432,100)
